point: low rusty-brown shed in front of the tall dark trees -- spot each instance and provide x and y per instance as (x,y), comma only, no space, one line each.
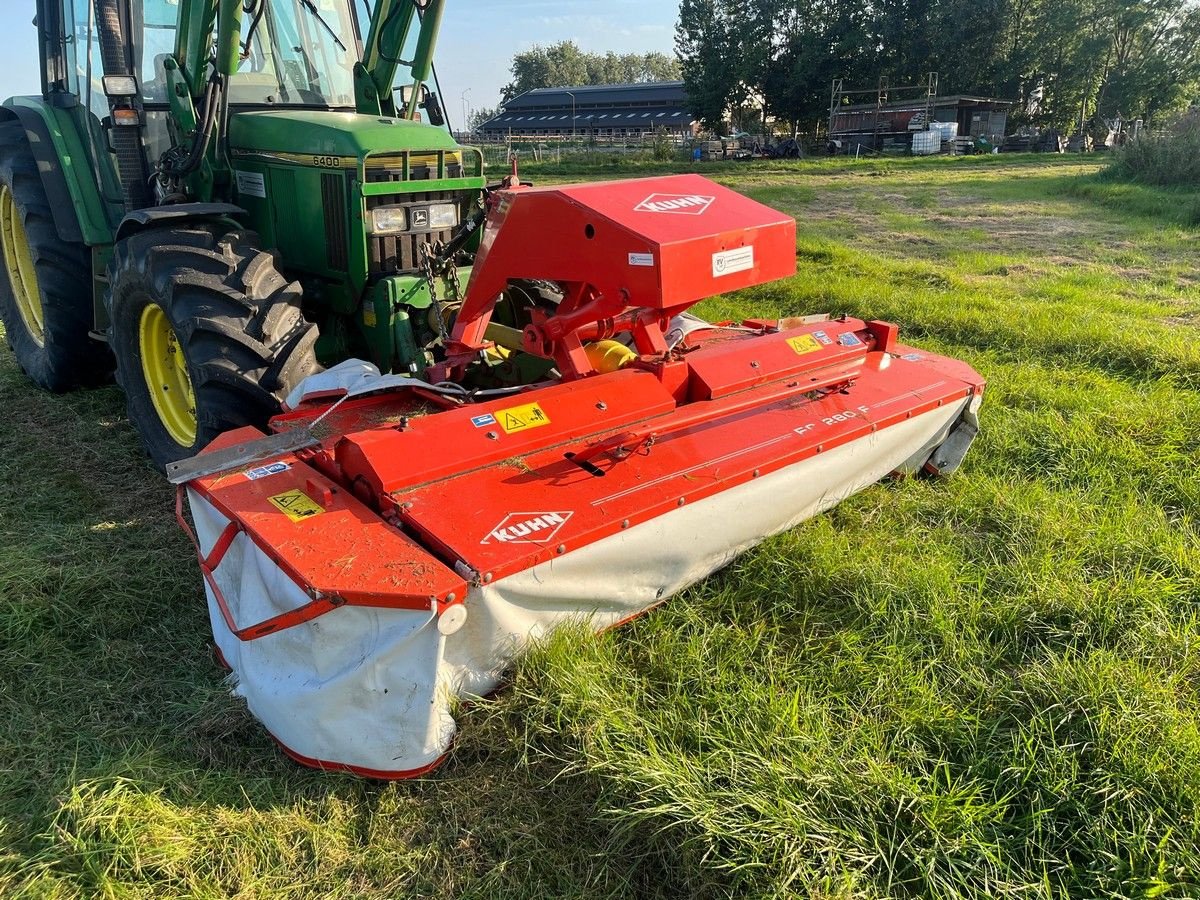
(878,123)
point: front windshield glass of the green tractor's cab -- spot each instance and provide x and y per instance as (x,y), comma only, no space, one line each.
(297,53)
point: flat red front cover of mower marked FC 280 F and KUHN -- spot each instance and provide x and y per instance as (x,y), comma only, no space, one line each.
(531,508)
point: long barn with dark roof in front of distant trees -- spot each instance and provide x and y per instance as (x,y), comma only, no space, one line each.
(596,111)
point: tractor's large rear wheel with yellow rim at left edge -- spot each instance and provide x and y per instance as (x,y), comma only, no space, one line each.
(46,292)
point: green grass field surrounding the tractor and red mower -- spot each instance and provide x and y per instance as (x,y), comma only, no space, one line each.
(981,687)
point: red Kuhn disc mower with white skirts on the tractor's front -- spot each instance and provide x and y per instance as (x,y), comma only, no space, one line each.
(395,542)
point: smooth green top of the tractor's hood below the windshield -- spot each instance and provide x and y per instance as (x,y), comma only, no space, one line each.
(332,135)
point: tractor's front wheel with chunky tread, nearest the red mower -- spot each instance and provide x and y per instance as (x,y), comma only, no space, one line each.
(208,335)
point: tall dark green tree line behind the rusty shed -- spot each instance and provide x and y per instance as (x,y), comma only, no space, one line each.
(1064,62)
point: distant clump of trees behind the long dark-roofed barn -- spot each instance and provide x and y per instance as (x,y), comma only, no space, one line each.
(565,65)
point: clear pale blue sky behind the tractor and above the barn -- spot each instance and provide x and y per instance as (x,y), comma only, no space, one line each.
(479,39)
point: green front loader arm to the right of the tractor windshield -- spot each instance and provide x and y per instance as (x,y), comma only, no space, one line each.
(392,23)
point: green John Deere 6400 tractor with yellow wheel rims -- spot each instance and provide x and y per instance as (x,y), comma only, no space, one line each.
(215,199)
